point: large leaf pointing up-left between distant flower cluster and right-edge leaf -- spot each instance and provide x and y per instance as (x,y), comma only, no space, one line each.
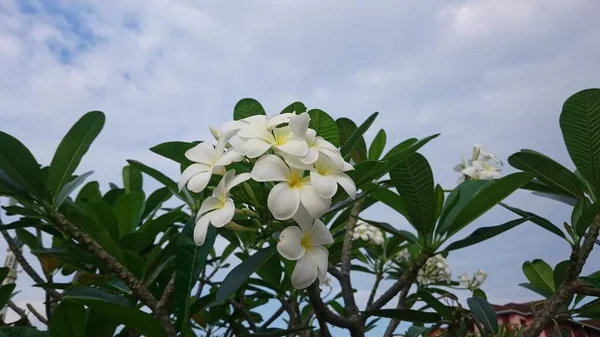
(548,171)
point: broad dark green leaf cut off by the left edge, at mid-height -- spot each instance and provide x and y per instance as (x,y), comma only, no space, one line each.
(20,165)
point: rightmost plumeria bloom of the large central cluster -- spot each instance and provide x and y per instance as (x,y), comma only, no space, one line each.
(327,175)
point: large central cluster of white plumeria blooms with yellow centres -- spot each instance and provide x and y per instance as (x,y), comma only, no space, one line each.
(286,149)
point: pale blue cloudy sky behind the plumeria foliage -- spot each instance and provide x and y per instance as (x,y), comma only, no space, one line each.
(482,71)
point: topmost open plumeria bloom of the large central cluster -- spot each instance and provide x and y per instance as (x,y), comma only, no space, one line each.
(259,137)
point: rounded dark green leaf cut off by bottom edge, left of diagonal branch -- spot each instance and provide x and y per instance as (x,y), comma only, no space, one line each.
(68,320)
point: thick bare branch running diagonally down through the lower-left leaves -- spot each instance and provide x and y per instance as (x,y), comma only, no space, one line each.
(138,289)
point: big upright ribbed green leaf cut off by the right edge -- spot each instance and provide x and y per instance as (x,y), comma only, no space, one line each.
(580,122)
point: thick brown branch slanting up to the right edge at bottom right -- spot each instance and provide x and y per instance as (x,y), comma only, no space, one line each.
(577,260)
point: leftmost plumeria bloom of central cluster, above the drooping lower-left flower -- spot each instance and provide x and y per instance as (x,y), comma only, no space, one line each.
(207,159)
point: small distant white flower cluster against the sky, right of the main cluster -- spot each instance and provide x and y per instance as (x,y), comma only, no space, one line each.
(482,166)
